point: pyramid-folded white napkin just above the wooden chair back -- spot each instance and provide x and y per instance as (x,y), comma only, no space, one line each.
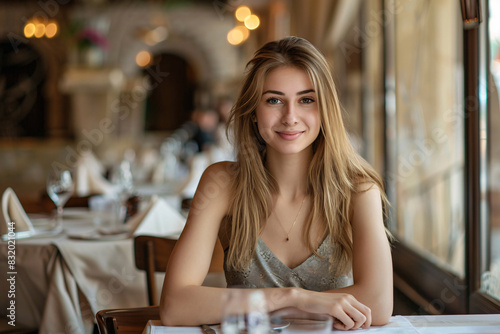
(159,218)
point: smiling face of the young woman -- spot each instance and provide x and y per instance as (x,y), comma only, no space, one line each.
(287,115)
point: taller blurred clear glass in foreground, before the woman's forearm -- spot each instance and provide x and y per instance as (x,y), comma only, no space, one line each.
(245,312)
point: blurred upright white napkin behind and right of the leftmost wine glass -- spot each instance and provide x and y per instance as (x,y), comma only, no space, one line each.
(88,176)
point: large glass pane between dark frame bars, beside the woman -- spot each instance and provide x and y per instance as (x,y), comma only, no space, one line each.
(426,127)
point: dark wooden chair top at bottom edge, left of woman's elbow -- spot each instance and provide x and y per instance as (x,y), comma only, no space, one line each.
(126,320)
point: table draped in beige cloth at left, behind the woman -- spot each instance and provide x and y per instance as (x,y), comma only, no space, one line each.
(61,282)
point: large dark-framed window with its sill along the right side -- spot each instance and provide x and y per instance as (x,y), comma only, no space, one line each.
(443,153)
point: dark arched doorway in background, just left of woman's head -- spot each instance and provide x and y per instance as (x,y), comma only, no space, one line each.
(171,101)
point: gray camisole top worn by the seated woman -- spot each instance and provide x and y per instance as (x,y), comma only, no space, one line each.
(267,271)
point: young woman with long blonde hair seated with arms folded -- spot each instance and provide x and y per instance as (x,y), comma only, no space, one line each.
(299,214)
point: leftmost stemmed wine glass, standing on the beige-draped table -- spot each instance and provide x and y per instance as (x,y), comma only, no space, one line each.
(60,187)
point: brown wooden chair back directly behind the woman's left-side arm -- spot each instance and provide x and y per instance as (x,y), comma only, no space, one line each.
(152,255)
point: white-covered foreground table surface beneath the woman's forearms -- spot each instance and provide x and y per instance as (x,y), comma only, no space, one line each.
(435,324)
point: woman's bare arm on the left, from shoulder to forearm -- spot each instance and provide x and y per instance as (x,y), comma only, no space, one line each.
(183,300)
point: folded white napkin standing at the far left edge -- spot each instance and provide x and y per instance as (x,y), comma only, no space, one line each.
(12,211)
